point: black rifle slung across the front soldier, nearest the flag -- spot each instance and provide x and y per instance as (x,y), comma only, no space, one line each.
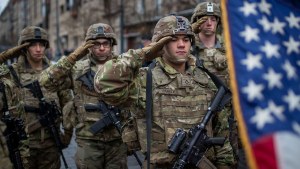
(193,148)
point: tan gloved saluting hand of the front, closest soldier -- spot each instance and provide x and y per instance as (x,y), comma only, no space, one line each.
(151,51)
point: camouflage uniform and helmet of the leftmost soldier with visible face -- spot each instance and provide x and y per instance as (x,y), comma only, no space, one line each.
(39,151)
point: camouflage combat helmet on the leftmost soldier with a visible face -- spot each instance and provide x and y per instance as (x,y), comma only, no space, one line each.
(33,33)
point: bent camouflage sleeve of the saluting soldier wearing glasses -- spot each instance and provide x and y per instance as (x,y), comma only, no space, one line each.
(57,76)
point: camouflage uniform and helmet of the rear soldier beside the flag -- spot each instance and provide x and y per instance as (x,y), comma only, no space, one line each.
(214,59)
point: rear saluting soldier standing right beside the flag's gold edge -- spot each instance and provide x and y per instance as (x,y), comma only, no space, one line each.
(206,21)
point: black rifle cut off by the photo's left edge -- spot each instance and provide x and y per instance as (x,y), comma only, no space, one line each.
(14,132)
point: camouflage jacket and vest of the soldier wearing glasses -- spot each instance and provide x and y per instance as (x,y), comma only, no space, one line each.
(82,76)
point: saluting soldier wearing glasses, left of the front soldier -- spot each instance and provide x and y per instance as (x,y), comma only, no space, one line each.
(105,149)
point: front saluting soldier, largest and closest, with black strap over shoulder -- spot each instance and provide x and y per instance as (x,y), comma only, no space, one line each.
(178,87)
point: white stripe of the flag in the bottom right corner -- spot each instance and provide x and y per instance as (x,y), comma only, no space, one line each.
(287,148)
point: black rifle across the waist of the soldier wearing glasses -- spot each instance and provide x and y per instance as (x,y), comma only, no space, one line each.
(111,116)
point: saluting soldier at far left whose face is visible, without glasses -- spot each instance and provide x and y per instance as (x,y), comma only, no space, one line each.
(40,150)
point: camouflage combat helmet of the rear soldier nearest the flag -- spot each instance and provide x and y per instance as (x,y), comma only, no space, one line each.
(206,8)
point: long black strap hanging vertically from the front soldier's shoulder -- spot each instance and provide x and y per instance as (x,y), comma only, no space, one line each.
(149,111)
